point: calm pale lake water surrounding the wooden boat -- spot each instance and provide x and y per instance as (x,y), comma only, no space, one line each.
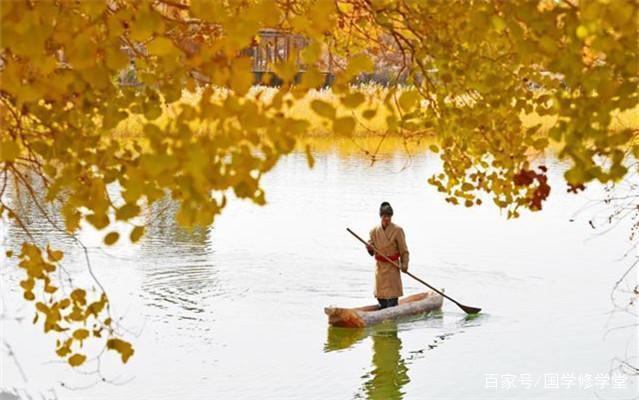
(236,310)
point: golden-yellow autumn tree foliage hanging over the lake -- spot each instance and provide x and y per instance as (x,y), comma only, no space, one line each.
(469,71)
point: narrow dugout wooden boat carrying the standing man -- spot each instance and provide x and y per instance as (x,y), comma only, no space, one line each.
(370,315)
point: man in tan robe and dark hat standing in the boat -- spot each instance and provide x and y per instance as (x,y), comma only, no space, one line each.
(389,240)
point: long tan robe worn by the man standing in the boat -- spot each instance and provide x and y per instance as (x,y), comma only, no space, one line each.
(389,241)
